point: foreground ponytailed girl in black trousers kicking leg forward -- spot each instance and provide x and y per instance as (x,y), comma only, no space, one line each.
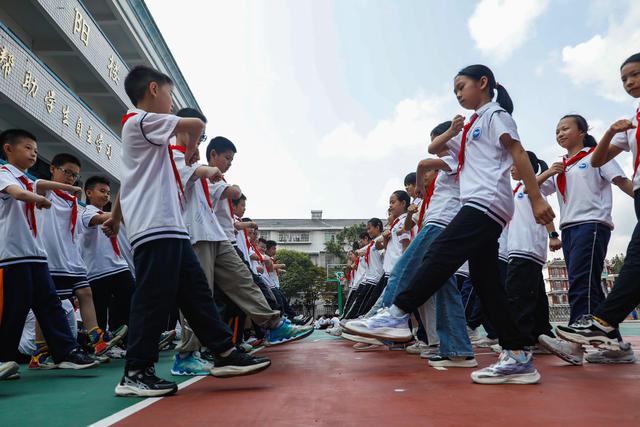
(487,148)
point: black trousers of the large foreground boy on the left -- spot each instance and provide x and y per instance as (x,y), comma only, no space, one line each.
(168,272)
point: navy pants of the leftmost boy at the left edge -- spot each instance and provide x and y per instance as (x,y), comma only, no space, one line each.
(29,285)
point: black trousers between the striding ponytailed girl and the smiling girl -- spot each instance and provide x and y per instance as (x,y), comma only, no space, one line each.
(528,298)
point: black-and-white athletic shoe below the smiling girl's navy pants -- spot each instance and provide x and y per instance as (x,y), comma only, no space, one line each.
(590,330)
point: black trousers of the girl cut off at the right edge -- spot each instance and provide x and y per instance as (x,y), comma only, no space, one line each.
(625,295)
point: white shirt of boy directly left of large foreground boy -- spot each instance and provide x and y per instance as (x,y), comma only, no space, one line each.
(97,251)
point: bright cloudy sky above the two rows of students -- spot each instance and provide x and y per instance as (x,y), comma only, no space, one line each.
(330,103)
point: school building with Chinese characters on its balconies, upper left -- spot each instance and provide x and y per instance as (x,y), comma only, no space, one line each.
(62,70)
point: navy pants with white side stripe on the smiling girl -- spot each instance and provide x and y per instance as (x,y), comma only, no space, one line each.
(585,247)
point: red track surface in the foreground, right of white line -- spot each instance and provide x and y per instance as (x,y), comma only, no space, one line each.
(323,383)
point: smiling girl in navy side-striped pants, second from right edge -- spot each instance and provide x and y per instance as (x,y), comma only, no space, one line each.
(585,199)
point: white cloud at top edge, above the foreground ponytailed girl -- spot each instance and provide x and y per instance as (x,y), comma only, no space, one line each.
(500,26)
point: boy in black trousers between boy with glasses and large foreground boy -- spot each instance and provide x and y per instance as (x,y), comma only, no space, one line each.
(108,272)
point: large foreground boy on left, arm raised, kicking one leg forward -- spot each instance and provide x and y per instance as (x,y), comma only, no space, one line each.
(167,270)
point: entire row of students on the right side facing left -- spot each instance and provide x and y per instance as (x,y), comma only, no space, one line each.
(468,248)
